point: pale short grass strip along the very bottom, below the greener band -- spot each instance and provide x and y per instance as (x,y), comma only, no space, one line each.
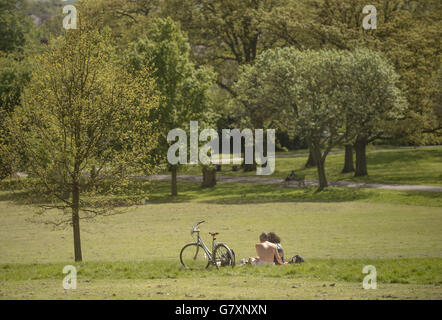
(238,287)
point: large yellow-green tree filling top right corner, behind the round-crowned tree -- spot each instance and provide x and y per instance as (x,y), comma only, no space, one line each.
(408,33)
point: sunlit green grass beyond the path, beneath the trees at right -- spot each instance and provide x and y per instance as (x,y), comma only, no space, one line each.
(402,166)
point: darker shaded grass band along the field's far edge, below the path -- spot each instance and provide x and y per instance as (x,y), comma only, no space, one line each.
(253,193)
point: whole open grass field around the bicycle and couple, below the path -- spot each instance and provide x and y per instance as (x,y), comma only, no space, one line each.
(134,255)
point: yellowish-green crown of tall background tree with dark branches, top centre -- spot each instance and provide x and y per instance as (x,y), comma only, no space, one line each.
(224,34)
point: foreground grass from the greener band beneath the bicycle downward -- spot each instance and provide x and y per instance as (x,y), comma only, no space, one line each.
(316,279)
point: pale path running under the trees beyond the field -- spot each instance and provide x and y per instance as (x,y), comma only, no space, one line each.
(349,184)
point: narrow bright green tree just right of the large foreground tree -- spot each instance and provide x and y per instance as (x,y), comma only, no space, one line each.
(184,89)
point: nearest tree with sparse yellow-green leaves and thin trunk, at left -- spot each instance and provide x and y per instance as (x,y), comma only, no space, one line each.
(83,126)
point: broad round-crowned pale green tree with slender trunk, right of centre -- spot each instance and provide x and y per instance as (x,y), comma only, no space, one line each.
(329,96)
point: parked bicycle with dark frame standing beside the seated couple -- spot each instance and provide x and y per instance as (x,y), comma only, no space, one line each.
(196,255)
